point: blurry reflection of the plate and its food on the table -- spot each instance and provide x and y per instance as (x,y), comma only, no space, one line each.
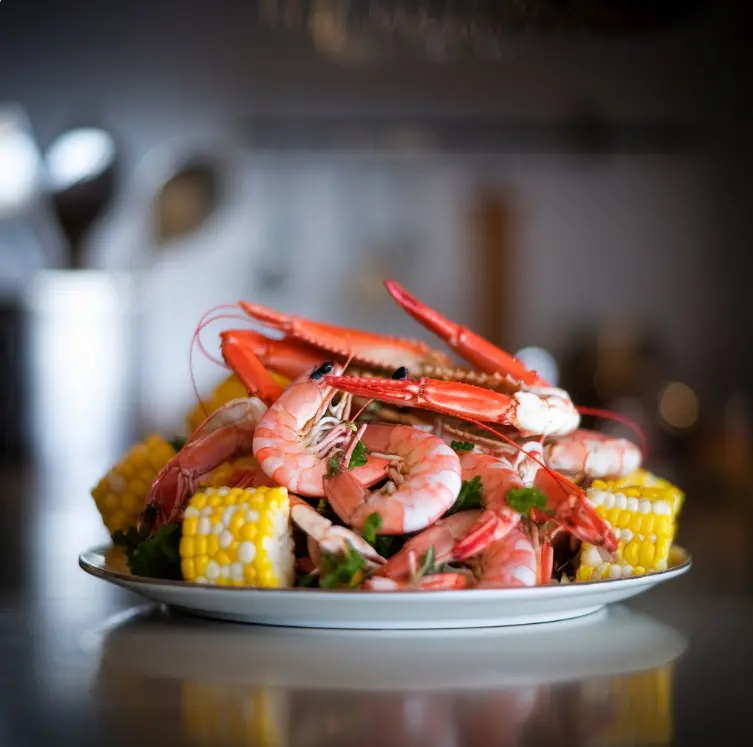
(605,679)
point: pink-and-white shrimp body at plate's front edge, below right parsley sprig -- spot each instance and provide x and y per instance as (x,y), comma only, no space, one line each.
(511,561)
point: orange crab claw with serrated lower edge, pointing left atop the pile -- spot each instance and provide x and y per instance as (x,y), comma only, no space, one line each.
(367,348)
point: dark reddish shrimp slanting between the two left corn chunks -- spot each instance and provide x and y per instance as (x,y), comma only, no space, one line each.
(226,433)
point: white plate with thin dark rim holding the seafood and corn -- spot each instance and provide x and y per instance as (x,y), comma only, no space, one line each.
(319,608)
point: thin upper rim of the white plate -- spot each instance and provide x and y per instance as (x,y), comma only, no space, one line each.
(112,576)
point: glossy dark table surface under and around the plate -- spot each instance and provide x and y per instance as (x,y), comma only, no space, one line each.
(83,662)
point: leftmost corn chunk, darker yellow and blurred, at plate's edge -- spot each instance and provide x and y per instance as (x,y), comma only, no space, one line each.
(121,494)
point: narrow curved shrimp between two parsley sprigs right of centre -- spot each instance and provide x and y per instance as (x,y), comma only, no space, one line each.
(497,477)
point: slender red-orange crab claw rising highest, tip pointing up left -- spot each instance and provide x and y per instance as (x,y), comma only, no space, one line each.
(463,341)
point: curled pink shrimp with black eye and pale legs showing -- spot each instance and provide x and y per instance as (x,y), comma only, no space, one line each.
(301,431)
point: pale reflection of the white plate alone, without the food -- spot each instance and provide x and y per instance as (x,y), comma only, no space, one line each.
(153,642)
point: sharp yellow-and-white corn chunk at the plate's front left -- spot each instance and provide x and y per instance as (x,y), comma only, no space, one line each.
(238,537)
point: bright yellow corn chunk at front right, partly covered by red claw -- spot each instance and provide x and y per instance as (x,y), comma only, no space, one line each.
(643,518)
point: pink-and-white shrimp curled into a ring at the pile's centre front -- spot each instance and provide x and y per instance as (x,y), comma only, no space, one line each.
(425,481)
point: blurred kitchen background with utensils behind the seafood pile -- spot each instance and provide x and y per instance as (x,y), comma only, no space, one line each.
(569,179)
